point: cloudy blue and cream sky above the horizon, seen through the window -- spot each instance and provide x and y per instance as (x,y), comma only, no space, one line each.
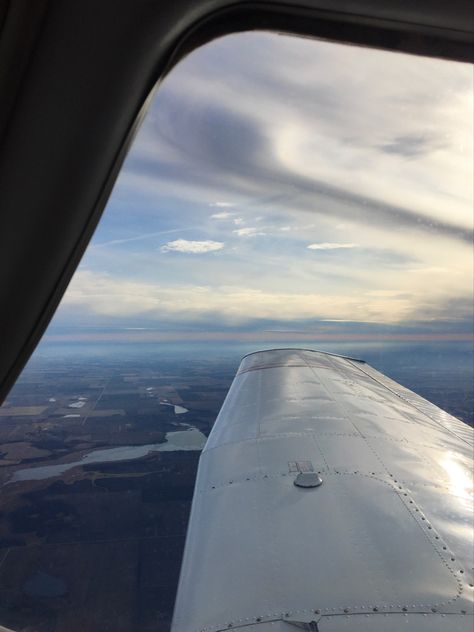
(283,184)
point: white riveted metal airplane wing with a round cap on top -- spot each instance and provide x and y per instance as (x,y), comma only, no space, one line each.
(328,498)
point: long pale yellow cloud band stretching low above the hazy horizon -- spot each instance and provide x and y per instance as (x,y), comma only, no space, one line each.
(115,297)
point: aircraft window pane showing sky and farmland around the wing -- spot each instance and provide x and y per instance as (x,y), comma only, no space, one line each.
(281,192)
